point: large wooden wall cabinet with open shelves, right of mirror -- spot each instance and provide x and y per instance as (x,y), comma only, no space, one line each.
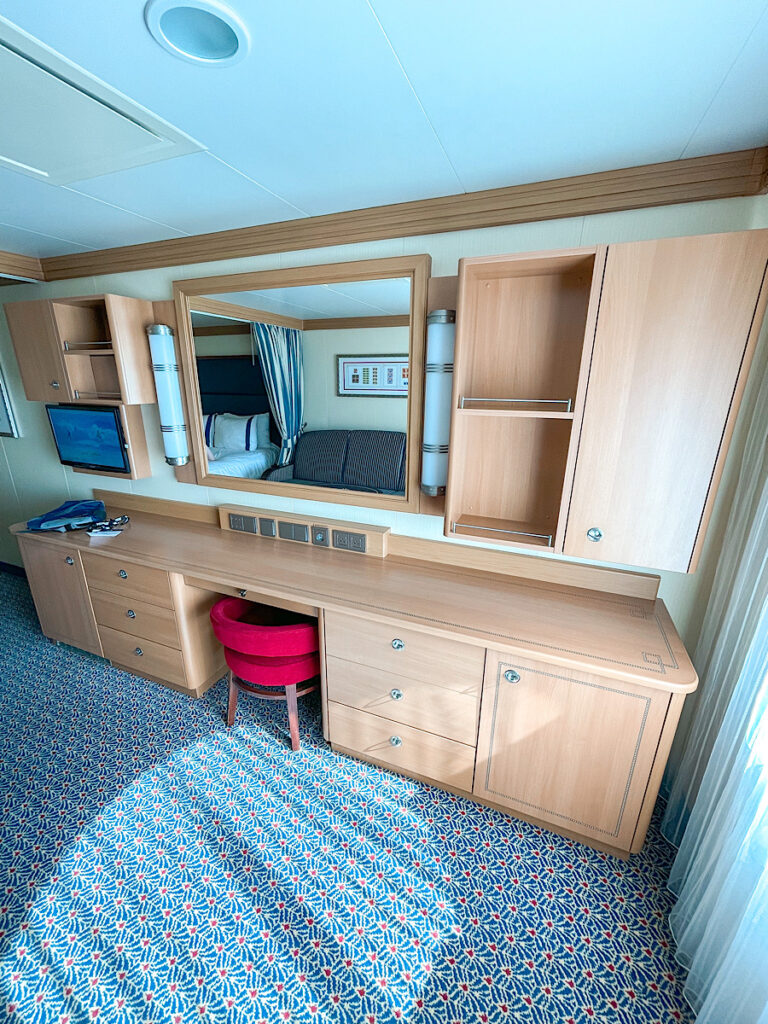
(596,393)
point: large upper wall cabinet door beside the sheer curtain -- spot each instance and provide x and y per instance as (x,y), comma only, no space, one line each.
(676,327)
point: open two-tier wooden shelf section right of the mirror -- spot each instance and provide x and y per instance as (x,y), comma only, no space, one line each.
(521,334)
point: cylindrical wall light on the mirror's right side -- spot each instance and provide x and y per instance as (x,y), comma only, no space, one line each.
(439,386)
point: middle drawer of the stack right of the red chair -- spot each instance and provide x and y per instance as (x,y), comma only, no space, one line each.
(400,699)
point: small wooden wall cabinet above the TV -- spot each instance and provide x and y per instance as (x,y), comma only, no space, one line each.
(89,350)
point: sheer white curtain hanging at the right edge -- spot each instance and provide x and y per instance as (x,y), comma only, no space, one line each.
(718,807)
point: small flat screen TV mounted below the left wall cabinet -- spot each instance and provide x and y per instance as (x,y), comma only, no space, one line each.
(90,438)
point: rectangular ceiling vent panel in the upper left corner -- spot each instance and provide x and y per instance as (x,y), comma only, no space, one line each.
(64,125)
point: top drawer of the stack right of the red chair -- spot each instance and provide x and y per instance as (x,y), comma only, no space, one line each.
(438,661)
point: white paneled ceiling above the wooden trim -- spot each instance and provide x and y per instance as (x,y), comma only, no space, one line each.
(360,103)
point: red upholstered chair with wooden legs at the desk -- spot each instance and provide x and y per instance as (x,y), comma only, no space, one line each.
(268,649)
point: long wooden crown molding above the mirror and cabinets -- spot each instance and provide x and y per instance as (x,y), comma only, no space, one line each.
(723,176)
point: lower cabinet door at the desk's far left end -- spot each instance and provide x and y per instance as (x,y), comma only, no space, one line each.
(61,594)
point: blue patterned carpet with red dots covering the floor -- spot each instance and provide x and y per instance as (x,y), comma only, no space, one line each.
(157,869)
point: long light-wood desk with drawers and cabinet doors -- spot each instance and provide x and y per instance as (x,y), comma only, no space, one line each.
(557,704)
